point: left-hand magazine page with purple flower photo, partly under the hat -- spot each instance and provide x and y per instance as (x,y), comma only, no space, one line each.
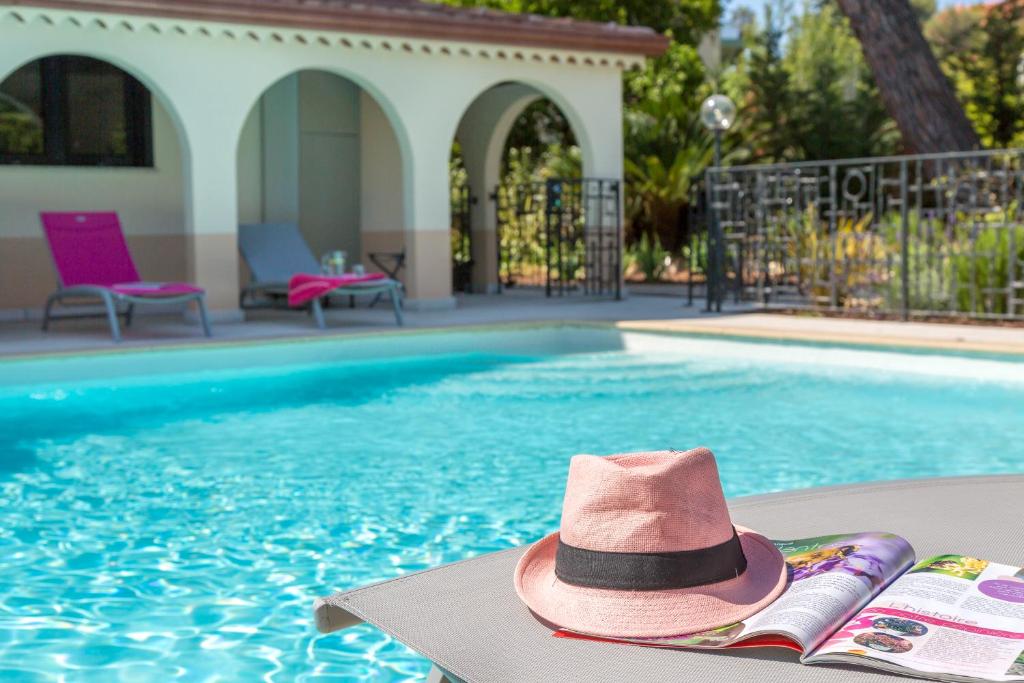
(831,578)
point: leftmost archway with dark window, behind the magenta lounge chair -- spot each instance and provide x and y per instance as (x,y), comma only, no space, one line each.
(78,134)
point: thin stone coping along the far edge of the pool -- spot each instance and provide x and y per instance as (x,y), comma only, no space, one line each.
(681,328)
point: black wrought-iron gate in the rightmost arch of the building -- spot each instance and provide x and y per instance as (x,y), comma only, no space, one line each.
(563,235)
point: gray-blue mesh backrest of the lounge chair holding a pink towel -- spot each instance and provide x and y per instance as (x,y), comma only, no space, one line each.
(275,252)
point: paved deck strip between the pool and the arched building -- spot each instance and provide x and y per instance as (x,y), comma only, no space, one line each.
(656,314)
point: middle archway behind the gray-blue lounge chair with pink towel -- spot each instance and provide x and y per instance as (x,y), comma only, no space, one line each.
(319,153)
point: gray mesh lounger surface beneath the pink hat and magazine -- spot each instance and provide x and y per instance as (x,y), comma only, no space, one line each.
(467,619)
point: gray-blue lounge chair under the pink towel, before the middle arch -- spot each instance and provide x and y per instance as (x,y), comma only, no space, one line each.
(277,252)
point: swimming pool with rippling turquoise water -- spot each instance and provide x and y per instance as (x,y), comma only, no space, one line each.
(174,515)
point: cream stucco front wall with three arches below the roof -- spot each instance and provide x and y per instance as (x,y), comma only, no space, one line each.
(211,76)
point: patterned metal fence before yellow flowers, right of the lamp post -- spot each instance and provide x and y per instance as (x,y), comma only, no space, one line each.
(932,235)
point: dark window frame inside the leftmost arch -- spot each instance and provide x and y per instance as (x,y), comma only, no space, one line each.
(57,122)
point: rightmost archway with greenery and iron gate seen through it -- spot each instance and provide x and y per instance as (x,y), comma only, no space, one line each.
(525,218)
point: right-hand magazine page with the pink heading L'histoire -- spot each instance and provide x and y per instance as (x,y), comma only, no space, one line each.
(954,616)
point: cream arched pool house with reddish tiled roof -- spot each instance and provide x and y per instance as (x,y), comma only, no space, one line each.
(336,116)
